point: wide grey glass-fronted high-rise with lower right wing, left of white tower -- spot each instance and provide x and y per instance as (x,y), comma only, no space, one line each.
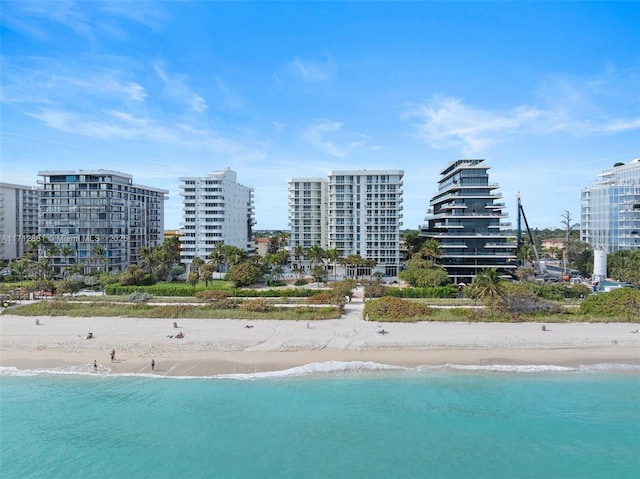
(98,219)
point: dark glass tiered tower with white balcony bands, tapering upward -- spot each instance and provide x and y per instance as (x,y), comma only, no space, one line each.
(466,220)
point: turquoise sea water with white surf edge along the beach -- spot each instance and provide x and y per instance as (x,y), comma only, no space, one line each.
(338,420)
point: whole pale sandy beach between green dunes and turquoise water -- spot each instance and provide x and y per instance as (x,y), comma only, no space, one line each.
(219,346)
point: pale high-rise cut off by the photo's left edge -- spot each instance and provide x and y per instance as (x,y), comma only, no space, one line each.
(18,219)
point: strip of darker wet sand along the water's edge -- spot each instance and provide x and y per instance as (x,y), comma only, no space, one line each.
(206,364)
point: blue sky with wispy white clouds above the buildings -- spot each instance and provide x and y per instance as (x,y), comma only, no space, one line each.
(547,92)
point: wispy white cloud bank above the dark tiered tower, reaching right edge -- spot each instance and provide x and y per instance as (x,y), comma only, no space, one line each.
(604,104)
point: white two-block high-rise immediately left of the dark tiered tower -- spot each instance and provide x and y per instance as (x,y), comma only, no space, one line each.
(356,212)
